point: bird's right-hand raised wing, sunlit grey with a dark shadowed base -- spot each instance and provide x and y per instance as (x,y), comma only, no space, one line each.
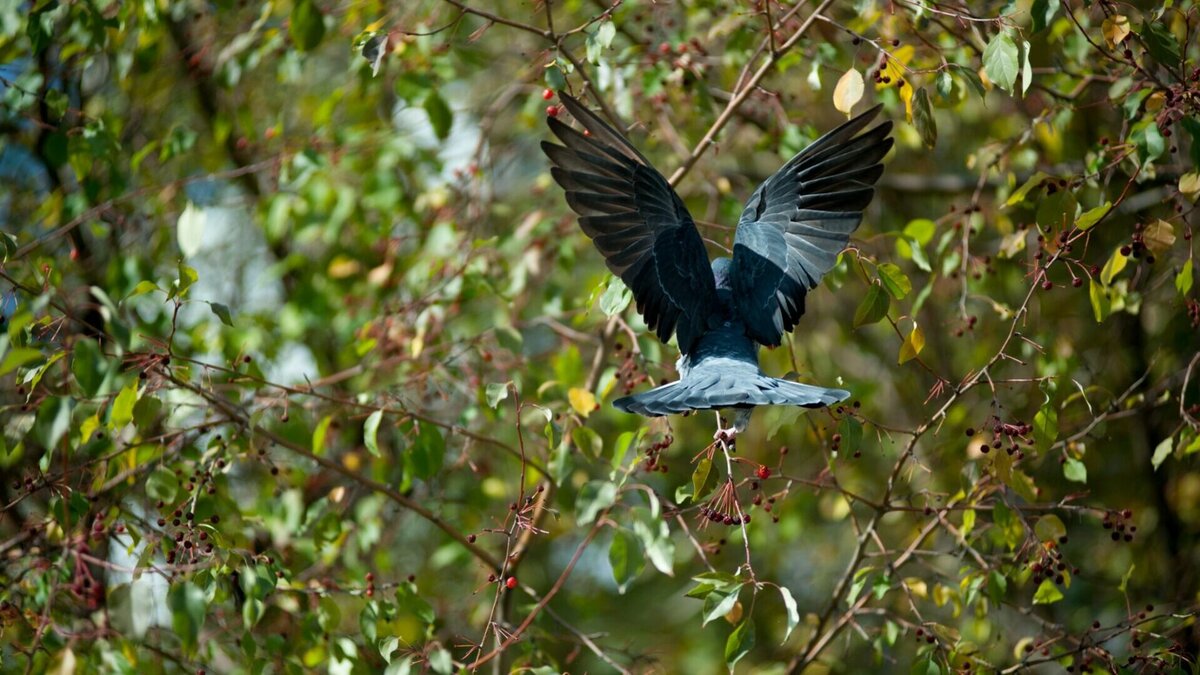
(797,223)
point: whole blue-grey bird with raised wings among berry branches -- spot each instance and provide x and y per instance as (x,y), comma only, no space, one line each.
(789,237)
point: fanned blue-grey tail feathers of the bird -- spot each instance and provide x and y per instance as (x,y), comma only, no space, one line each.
(715,392)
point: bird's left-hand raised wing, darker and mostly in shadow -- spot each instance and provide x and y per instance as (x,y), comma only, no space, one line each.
(639,223)
